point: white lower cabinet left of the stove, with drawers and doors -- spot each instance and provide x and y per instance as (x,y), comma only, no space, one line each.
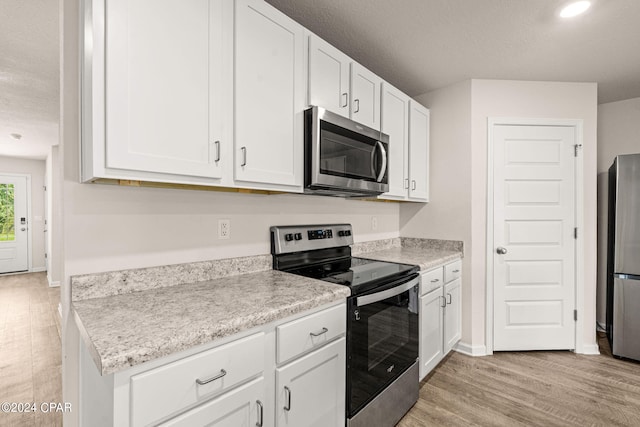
(238,383)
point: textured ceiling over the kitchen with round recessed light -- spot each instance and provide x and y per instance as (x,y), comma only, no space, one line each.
(422,45)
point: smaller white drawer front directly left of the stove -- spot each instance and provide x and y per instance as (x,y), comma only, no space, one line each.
(312,331)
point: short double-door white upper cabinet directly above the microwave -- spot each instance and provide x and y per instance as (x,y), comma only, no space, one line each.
(341,85)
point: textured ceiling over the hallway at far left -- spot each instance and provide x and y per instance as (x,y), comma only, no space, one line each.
(29,77)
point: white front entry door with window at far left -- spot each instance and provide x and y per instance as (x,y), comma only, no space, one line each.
(13,224)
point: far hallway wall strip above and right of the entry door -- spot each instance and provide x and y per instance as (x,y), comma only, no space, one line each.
(35,168)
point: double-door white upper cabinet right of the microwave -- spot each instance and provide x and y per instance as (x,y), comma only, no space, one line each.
(407,124)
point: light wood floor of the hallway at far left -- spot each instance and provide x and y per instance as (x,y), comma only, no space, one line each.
(30,348)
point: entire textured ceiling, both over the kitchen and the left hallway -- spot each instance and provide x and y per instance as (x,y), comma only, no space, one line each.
(417,45)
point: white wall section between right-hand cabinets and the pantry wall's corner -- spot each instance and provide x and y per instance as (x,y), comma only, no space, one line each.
(448,214)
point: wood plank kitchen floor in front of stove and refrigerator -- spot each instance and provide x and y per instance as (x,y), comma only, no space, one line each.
(536,388)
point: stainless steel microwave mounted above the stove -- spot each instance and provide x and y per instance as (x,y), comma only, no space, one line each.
(343,157)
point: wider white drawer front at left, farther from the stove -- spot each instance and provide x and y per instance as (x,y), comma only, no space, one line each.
(169,389)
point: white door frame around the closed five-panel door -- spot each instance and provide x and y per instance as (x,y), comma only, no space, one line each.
(577,124)
